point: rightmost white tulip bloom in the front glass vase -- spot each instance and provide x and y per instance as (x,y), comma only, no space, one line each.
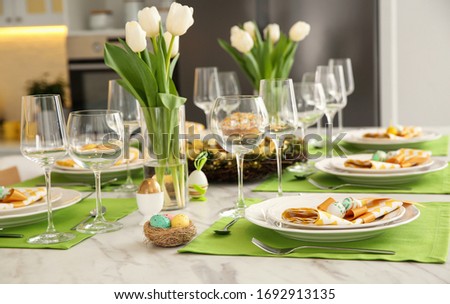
(179,19)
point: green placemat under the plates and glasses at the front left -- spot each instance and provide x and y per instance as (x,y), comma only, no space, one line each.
(65,219)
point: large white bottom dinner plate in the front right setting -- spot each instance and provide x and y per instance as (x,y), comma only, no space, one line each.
(256,215)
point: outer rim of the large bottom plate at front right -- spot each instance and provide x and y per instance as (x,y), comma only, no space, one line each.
(255,214)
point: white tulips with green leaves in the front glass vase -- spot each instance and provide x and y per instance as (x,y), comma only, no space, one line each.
(147,75)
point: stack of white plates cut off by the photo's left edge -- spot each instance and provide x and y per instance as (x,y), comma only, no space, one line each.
(36,212)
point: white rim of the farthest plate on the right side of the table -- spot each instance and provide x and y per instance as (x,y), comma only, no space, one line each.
(356,137)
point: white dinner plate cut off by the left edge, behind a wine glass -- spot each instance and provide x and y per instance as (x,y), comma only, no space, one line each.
(68,198)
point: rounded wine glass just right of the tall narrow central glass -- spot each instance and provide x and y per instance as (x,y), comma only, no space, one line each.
(310,98)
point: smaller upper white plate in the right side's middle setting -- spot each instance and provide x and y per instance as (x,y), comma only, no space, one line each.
(339,163)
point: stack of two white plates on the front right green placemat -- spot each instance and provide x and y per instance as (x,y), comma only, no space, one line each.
(267,214)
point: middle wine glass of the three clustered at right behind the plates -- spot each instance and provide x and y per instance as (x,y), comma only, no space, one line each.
(332,80)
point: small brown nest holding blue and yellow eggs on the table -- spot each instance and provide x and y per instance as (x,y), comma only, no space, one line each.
(170,237)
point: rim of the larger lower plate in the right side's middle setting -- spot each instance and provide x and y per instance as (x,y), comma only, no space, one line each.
(326,166)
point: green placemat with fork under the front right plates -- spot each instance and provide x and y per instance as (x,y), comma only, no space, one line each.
(424,240)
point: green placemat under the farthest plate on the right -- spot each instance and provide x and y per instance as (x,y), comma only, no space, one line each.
(438,147)
